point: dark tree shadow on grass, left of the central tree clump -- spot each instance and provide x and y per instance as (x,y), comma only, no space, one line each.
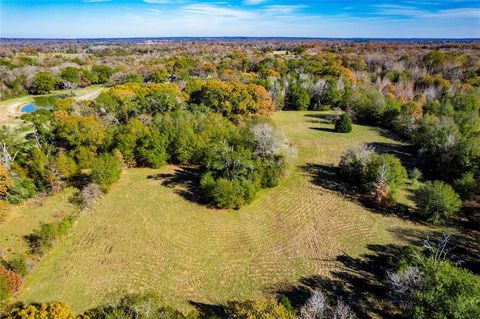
(185,181)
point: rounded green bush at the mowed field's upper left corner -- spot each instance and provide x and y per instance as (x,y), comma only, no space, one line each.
(106,170)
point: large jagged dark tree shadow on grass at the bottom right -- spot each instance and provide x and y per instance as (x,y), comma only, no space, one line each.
(360,282)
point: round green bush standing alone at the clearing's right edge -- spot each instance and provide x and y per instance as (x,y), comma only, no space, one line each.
(437,201)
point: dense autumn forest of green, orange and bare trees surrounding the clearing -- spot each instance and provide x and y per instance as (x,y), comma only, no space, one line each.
(207,106)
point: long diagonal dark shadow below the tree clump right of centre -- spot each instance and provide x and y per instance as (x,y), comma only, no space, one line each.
(327,177)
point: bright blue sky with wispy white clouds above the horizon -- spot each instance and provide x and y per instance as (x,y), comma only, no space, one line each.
(314,18)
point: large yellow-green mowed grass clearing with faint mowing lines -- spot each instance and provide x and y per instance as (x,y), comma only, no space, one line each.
(145,236)
